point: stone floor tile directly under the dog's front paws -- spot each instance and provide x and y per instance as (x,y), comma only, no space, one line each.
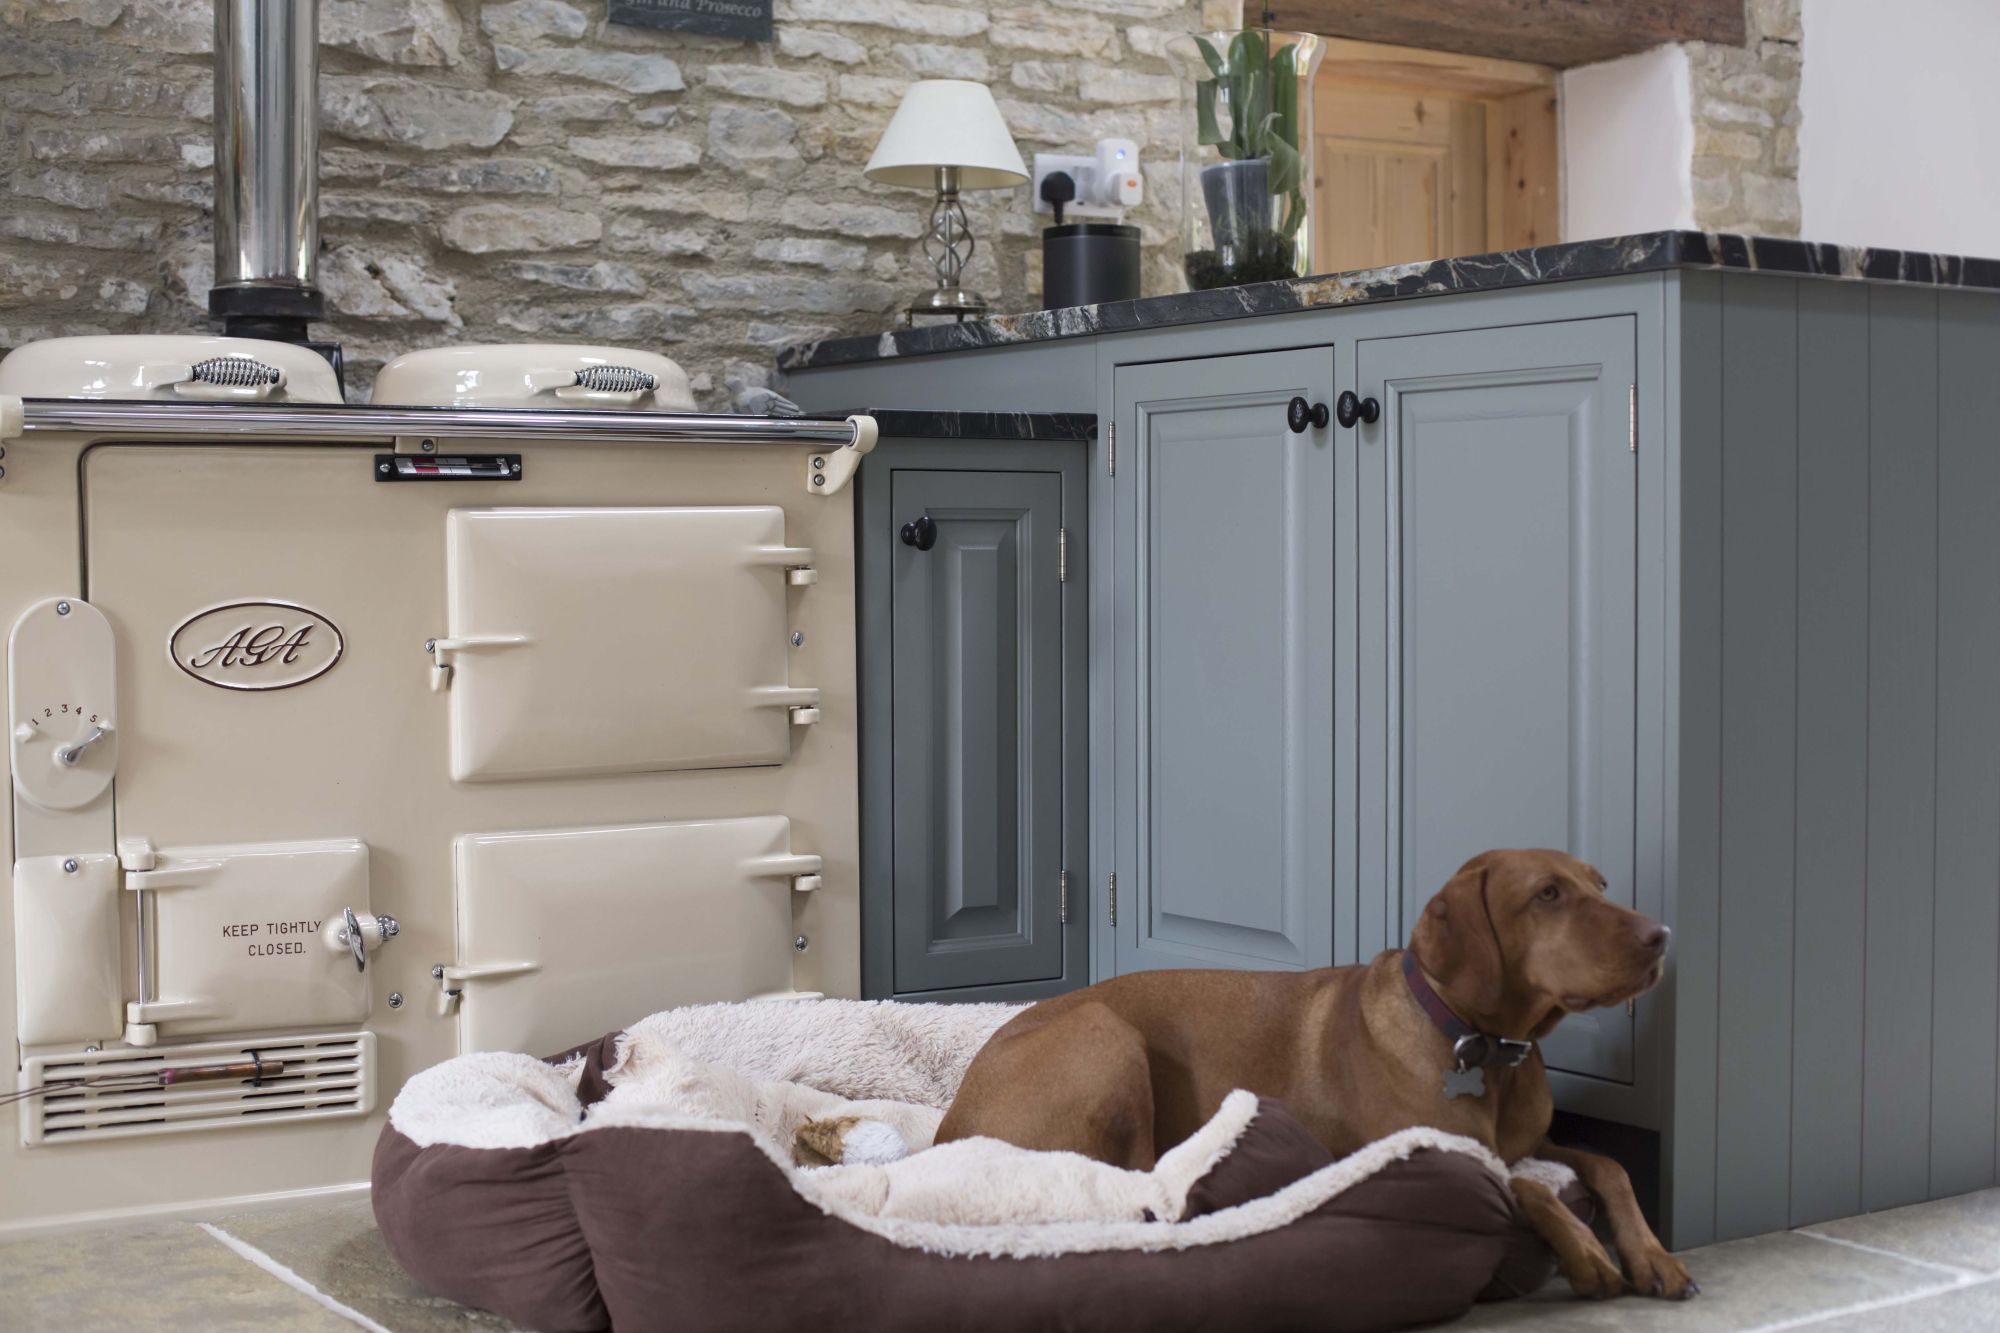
(1745,1286)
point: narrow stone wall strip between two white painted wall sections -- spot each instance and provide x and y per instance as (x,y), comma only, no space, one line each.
(1747,125)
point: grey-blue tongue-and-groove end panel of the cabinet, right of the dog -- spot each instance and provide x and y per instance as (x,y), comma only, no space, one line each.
(1841,818)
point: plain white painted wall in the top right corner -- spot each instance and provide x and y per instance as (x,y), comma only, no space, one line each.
(1901,137)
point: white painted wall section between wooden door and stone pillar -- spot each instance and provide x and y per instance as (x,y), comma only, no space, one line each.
(1627,147)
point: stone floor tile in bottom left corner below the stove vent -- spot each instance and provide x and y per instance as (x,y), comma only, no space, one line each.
(147,1276)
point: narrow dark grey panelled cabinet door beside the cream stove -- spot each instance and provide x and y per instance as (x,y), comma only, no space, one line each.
(977,623)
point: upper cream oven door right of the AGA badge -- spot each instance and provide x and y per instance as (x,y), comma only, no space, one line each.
(619,639)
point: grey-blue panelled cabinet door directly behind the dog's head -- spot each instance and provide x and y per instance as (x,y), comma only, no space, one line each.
(1497,561)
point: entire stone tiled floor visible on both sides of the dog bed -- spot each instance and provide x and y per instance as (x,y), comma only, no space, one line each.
(1927,1268)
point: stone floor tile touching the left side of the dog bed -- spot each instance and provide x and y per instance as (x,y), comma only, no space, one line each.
(335,1246)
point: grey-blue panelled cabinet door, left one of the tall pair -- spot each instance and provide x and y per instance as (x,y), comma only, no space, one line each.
(1223,665)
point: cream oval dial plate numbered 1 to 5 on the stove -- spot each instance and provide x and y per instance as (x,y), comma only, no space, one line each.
(63,704)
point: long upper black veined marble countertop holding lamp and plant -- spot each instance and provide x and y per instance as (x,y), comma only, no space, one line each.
(1577,259)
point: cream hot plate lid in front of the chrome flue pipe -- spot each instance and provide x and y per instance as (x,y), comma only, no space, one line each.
(169,369)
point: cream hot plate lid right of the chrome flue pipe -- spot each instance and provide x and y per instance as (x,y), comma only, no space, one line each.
(535,375)
